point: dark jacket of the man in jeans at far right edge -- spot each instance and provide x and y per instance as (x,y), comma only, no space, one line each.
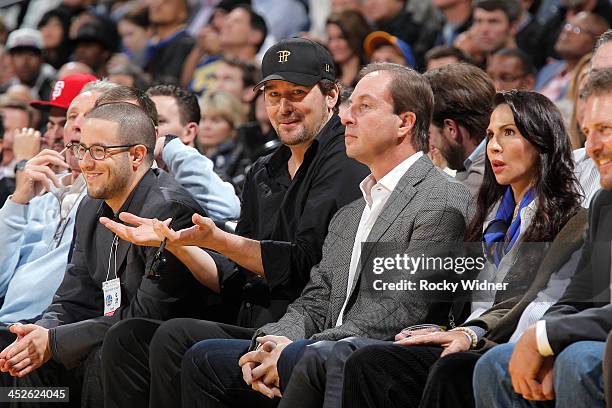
(584,311)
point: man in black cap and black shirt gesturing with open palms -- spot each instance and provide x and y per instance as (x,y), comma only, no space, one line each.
(288,201)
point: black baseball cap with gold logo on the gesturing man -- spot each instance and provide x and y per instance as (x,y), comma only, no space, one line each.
(297,60)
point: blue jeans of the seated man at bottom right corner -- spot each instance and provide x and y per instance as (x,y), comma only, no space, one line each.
(577,378)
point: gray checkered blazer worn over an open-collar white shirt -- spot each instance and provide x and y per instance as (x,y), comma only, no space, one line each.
(426,206)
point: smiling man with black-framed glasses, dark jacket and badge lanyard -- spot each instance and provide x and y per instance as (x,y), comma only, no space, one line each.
(105,278)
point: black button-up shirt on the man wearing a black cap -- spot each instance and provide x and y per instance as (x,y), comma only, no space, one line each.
(290,218)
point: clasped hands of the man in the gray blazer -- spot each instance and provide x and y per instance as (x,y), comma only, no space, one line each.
(259,367)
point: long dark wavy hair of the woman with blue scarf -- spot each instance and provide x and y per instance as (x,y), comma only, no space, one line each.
(555,186)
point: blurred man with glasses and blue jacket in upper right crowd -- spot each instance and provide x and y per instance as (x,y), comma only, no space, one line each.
(575,40)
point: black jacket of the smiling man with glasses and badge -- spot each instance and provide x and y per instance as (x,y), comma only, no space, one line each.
(76,315)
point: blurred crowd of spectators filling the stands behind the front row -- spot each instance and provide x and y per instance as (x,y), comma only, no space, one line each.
(198,59)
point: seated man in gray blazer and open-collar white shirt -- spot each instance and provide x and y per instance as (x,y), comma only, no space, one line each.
(408,204)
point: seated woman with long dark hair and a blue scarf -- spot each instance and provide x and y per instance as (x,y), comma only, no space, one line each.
(529,193)
